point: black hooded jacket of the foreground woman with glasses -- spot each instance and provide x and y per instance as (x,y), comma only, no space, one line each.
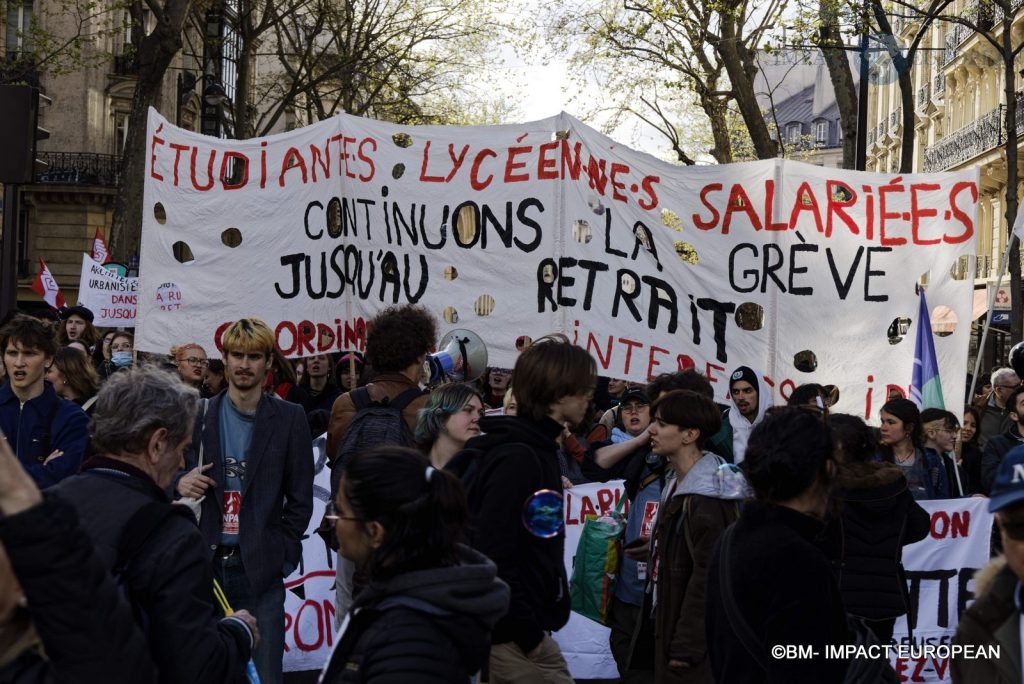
(431,627)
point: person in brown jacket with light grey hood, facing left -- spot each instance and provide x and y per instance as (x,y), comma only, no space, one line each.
(697,506)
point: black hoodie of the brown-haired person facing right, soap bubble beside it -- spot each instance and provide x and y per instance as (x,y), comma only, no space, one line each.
(515,459)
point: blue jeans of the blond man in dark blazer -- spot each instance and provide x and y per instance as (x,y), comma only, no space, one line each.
(268,609)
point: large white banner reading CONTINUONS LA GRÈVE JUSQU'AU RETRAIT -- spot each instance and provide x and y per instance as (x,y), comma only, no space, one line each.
(519,231)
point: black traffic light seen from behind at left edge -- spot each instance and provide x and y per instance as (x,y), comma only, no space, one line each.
(20,132)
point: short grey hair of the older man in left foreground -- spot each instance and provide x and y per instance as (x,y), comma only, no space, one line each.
(133,405)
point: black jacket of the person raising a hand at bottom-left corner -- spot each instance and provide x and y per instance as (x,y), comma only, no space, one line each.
(87,629)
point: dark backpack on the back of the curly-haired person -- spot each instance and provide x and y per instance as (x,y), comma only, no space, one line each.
(375,424)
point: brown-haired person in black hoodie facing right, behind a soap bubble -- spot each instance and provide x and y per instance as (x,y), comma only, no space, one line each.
(511,474)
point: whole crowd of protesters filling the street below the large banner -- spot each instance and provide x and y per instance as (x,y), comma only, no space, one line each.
(749,525)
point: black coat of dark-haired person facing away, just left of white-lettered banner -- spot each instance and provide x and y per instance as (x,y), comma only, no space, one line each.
(784,585)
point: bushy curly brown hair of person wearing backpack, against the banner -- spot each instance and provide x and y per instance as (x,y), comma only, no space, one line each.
(399,337)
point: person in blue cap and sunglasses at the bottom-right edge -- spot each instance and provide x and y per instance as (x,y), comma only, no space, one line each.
(994,620)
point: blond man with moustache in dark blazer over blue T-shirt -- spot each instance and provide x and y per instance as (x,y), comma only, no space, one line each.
(258,480)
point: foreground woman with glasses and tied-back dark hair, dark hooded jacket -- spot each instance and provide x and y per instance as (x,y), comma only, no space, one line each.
(428,613)
